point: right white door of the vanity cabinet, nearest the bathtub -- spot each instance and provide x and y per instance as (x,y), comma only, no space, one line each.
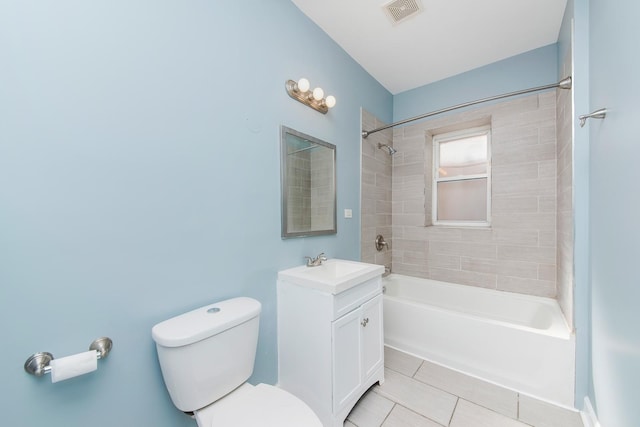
(372,338)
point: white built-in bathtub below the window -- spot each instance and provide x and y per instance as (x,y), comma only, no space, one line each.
(517,341)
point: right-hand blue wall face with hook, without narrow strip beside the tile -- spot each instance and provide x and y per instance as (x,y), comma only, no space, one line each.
(615,209)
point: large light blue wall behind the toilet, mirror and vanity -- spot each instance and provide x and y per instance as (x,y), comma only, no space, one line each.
(139,178)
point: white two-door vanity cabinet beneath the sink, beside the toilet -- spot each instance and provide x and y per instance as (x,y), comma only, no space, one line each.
(330,345)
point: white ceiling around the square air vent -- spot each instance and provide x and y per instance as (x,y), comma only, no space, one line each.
(446,38)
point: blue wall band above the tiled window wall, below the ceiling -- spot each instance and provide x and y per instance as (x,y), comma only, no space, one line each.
(530,69)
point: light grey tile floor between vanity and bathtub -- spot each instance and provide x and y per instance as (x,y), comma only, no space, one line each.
(418,393)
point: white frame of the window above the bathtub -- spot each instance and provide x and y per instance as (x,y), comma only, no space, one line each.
(452,136)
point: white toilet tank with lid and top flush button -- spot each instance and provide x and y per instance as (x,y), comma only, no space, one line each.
(208,352)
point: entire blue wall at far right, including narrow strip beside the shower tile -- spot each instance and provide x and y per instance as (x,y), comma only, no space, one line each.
(607,234)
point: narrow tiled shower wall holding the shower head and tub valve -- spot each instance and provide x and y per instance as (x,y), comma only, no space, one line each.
(376,193)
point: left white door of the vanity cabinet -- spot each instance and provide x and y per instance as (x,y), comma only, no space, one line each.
(347,357)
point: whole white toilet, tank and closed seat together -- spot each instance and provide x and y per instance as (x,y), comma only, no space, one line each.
(206,357)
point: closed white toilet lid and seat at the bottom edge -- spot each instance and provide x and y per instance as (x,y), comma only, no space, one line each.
(258,406)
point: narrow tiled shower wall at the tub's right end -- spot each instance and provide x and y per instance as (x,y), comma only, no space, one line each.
(565,198)
